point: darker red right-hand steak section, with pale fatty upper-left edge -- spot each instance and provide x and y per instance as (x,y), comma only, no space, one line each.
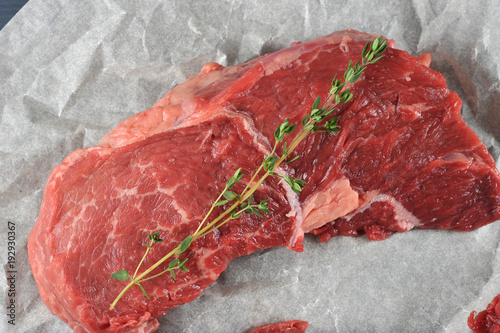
(404,159)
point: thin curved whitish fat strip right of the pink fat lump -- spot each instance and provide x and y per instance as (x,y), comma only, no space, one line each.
(405,219)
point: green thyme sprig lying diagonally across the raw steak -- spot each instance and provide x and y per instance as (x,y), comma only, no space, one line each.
(315,121)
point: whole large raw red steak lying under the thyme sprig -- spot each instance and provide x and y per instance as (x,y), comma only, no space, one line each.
(403,159)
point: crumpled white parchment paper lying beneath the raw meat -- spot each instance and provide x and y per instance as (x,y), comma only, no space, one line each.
(71,70)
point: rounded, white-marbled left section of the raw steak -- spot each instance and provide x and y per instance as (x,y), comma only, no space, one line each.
(100,203)
